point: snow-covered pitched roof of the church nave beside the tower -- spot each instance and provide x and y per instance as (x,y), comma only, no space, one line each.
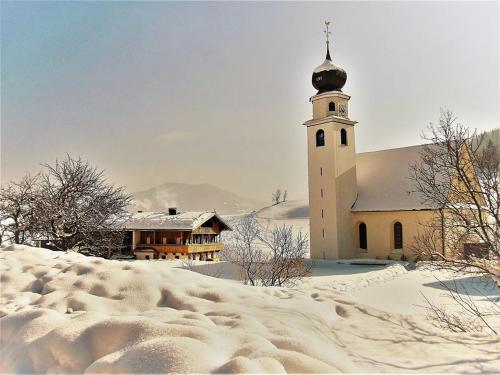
(383,180)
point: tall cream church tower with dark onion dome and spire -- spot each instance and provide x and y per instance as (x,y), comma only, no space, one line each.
(331,163)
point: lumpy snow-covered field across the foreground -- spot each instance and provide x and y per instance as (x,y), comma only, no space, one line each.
(68,313)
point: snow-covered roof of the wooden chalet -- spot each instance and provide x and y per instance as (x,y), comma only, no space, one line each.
(162,220)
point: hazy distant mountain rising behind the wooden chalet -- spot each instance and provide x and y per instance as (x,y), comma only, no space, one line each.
(187,197)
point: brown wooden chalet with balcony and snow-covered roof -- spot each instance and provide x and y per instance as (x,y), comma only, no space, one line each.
(174,235)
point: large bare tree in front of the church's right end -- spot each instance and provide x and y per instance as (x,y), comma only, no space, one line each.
(460,176)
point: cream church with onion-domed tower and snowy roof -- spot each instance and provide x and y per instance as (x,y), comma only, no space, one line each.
(360,205)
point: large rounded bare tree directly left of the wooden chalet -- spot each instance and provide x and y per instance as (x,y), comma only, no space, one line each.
(76,208)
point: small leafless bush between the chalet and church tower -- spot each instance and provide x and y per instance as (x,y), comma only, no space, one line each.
(267,257)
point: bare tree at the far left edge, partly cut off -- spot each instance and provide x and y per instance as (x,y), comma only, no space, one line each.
(17,209)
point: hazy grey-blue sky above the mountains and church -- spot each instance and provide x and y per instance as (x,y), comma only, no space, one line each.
(217,92)
